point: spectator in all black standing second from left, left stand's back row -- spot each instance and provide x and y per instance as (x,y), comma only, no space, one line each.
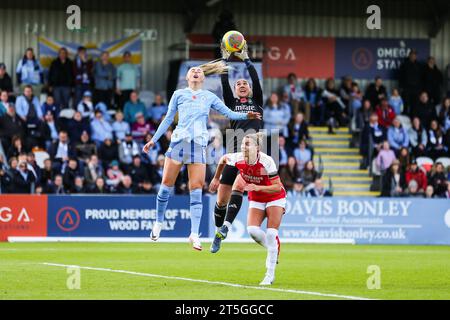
(61,78)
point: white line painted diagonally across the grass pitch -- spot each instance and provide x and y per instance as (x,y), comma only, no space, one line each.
(312,293)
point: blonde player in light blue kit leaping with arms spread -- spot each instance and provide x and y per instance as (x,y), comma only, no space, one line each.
(188,143)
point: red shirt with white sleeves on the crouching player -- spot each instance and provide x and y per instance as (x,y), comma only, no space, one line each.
(259,173)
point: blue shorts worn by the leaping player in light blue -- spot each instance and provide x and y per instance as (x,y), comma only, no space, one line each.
(186,152)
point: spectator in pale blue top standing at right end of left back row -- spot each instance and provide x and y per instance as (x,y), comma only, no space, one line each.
(128,79)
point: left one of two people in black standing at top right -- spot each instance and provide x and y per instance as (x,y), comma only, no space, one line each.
(411,81)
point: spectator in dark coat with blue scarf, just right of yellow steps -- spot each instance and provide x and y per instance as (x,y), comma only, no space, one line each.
(375,133)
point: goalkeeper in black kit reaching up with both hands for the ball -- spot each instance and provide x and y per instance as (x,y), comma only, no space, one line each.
(245,98)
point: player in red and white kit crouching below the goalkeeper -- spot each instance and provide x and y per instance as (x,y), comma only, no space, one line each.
(258,175)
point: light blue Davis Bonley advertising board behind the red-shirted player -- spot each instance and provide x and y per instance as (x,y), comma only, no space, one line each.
(364,220)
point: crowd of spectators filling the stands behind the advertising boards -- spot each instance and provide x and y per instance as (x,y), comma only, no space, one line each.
(93,126)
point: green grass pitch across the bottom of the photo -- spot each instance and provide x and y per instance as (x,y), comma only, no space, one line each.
(407,272)
